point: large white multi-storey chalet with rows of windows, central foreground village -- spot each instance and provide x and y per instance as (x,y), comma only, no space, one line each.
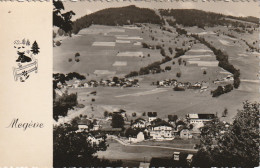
(162,131)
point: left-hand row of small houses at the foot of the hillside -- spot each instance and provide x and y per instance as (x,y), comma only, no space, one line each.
(121,82)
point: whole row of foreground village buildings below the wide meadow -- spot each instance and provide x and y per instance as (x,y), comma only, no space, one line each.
(150,127)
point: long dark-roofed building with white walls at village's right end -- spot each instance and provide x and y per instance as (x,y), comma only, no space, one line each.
(199,118)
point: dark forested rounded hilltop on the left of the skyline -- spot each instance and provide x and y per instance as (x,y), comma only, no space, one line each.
(117,16)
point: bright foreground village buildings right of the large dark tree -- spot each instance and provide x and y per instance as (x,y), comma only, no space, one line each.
(158,129)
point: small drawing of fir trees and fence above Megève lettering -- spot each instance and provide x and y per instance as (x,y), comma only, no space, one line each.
(26,61)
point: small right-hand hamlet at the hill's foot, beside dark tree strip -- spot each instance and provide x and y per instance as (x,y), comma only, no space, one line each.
(184,85)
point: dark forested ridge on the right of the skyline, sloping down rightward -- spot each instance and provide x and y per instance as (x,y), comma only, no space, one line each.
(193,17)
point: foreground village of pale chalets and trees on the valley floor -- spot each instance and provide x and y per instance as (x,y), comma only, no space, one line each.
(147,127)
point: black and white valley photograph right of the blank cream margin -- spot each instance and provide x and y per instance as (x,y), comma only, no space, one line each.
(155,84)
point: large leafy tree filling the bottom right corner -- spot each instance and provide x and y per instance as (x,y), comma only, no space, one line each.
(231,145)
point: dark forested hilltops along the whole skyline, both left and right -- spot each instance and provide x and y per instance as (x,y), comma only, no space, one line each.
(132,15)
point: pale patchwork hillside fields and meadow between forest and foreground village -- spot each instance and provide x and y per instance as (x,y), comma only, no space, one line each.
(107,51)
